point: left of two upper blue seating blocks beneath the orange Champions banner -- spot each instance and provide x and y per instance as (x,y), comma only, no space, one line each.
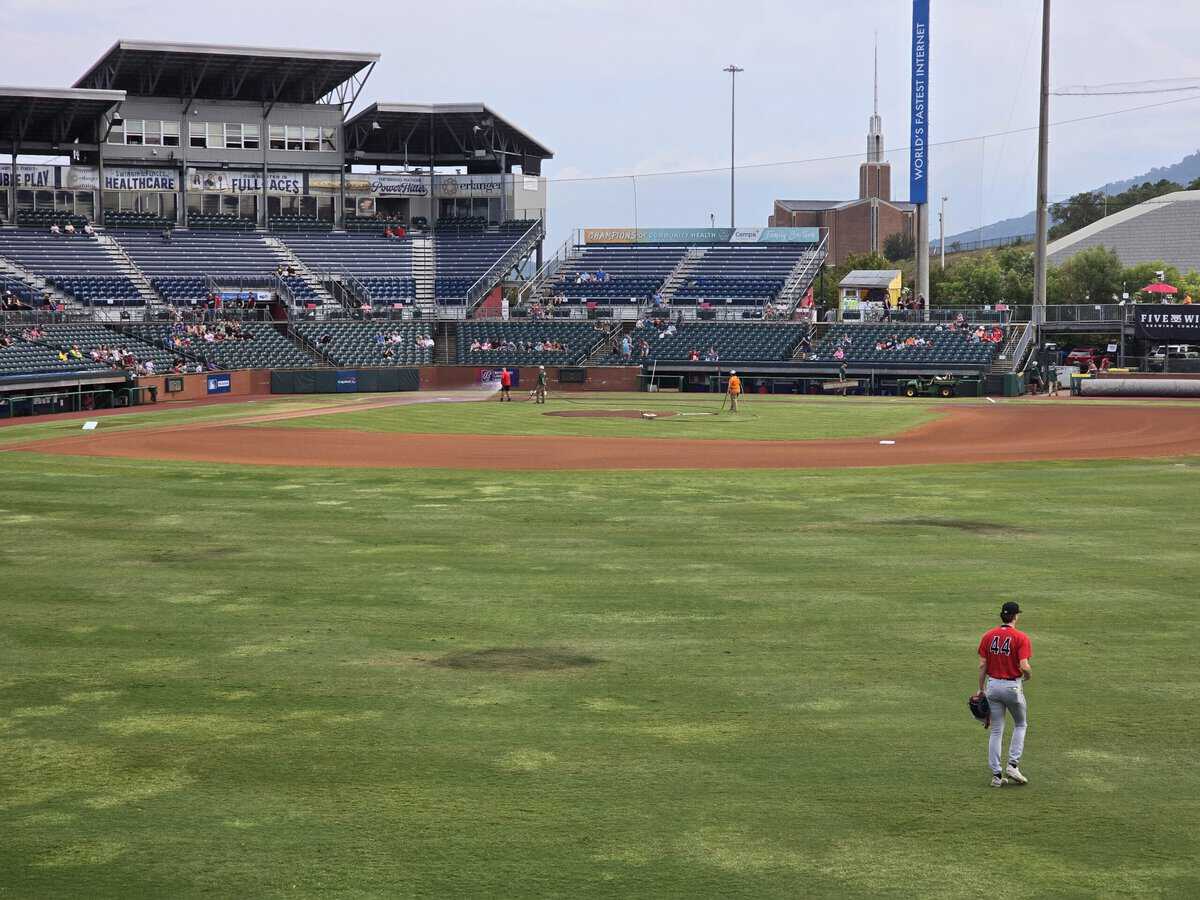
(629,274)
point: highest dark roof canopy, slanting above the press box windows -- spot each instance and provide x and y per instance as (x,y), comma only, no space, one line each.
(196,71)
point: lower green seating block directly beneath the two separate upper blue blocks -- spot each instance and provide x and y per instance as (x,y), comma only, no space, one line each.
(733,341)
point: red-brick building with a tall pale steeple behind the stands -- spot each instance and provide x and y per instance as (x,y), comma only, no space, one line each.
(859,226)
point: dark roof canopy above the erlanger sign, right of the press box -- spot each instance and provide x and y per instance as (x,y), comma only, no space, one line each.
(467,135)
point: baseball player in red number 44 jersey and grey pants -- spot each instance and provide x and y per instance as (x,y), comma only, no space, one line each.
(1004,668)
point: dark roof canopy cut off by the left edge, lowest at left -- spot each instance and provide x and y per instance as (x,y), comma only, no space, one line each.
(50,118)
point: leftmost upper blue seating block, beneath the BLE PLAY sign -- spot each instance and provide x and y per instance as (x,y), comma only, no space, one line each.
(77,265)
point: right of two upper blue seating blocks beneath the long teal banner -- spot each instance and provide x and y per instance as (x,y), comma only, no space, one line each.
(743,275)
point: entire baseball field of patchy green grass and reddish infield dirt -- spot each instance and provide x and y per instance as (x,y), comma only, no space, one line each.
(362,647)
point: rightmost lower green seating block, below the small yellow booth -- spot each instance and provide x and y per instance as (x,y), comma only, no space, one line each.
(946,347)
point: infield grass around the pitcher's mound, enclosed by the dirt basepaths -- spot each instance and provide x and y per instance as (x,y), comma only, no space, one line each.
(695,417)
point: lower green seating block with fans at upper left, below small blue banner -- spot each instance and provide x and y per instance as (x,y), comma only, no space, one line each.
(243,346)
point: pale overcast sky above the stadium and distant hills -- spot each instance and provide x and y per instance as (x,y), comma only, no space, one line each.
(637,88)
